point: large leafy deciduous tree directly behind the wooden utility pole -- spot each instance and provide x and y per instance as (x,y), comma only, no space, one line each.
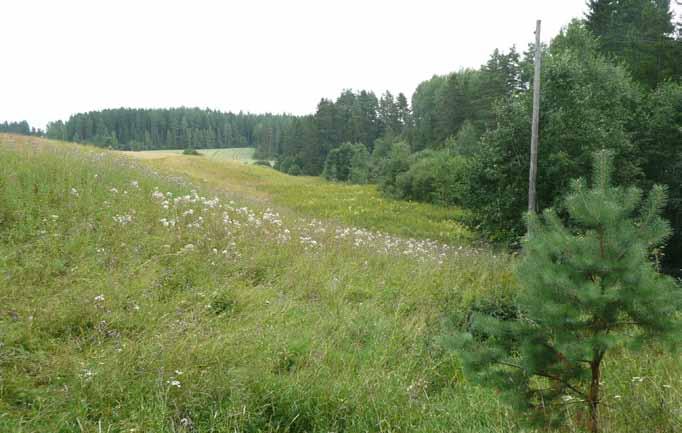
(587,103)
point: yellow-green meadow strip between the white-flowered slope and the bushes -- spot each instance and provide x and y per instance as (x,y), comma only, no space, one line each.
(313,197)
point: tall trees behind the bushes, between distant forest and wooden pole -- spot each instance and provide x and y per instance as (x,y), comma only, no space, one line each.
(441,107)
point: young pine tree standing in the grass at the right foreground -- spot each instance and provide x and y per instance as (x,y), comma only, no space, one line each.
(587,288)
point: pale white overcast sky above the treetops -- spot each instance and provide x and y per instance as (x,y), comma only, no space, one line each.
(63,57)
